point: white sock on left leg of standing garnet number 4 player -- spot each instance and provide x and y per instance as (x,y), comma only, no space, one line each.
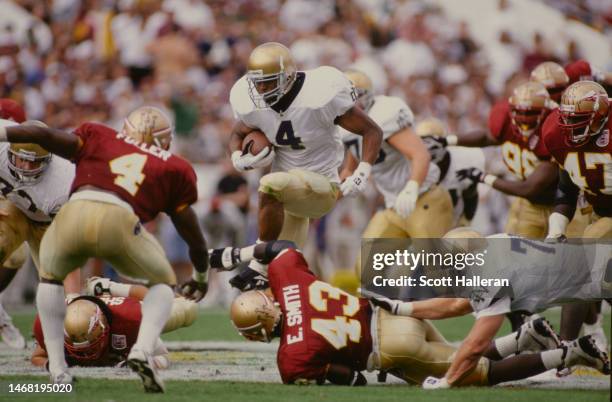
(52,311)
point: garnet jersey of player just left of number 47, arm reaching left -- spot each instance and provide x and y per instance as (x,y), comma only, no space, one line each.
(521,155)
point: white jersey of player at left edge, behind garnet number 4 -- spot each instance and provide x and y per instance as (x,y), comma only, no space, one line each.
(39,201)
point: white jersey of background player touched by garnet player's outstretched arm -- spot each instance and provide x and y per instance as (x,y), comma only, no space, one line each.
(460,158)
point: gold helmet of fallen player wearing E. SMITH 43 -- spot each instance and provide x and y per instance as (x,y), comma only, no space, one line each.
(255,315)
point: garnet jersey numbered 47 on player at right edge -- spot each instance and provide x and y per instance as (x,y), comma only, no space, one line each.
(589,165)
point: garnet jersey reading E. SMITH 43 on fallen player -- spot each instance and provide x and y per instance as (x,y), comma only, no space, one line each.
(321,324)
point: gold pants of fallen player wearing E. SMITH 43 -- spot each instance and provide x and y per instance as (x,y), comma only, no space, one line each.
(413,350)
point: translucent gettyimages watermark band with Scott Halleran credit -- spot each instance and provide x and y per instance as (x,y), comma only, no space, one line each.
(412,269)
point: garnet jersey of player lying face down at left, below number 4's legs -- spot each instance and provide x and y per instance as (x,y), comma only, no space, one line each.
(124,324)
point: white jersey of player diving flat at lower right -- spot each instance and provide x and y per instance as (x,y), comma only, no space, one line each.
(541,275)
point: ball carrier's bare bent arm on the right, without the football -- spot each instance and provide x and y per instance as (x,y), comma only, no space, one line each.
(357,121)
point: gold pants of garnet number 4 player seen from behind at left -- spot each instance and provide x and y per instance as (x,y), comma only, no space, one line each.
(86,228)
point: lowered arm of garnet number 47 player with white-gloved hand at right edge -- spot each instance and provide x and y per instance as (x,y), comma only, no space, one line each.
(566,198)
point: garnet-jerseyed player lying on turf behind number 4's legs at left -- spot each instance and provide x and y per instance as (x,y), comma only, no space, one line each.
(101,327)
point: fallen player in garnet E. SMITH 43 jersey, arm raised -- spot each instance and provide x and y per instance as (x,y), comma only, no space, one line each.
(326,333)
